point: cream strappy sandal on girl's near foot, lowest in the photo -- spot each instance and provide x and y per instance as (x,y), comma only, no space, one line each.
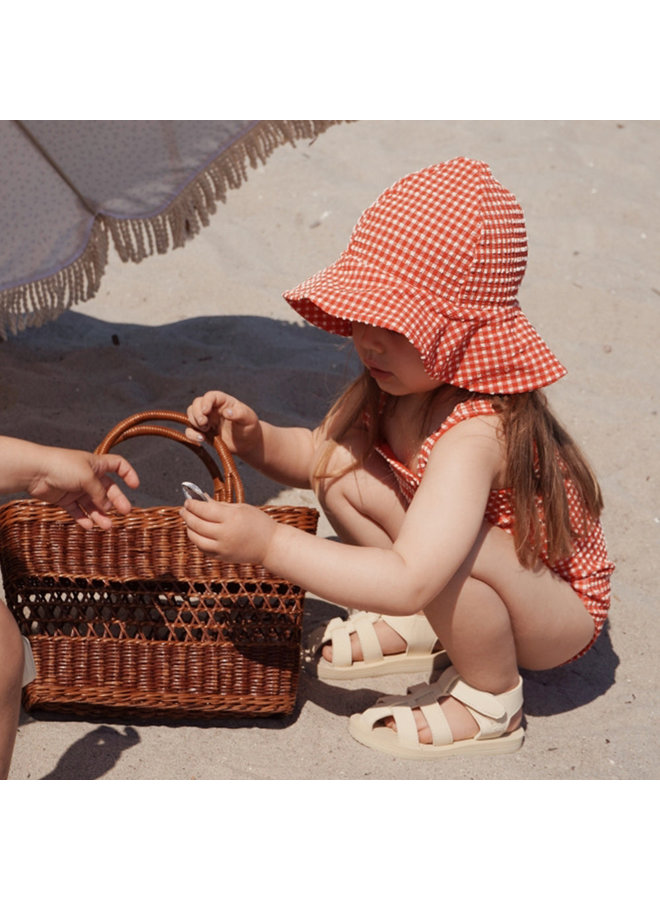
(493,713)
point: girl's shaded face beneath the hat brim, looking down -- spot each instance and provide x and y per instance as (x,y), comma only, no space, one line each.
(392,361)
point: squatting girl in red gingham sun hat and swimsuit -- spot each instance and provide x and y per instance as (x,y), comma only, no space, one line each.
(453,488)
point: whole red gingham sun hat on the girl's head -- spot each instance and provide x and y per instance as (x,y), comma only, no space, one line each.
(439,257)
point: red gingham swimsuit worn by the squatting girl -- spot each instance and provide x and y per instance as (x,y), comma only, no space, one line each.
(587,570)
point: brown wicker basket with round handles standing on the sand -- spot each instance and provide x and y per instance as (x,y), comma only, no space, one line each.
(136,621)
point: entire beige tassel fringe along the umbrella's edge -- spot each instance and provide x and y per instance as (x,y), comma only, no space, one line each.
(37,302)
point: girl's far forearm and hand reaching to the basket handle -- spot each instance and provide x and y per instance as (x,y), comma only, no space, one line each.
(283,454)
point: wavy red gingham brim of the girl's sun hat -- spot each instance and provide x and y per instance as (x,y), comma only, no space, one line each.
(488,349)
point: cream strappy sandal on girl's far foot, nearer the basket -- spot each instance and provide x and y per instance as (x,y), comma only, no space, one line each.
(419,655)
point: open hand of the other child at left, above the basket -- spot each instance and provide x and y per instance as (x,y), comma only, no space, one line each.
(79,482)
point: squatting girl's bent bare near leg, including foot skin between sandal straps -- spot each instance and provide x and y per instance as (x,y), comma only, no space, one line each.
(495,616)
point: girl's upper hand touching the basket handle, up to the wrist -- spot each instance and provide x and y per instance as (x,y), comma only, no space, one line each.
(219,413)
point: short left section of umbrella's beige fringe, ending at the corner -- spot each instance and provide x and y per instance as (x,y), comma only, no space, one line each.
(41,301)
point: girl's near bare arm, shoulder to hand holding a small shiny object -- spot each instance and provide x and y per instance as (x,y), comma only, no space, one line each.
(440,529)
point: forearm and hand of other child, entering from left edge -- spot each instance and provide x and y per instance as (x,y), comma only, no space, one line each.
(77,481)
